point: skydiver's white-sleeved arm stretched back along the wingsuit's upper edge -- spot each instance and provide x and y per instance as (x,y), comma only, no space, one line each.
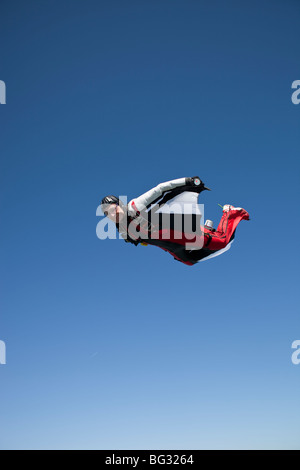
(139,203)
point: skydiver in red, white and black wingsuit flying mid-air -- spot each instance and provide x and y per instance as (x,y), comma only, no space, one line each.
(168,216)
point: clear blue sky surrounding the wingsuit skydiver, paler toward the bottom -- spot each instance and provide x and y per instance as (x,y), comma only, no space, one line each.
(111,346)
